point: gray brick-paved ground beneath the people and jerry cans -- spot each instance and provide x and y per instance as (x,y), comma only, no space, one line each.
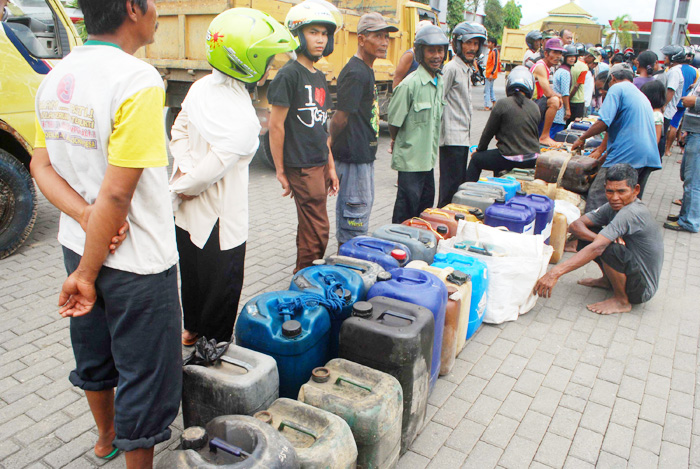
(560,387)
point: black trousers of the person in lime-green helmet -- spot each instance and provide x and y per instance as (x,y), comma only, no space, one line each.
(212,280)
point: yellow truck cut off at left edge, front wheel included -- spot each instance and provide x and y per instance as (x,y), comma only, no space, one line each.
(35,35)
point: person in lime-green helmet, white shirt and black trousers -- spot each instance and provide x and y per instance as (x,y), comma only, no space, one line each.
(214,138)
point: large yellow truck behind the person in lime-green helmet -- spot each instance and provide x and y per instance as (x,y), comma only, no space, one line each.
(179,51)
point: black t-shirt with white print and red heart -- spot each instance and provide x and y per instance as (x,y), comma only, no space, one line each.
(307,97)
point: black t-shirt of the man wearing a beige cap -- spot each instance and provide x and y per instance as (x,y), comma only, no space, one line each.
(357,95)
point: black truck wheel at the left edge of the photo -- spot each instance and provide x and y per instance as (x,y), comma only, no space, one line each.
(17,204)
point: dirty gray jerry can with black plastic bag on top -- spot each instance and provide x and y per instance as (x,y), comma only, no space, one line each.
(241,382)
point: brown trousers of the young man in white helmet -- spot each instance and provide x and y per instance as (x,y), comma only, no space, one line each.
(310,189)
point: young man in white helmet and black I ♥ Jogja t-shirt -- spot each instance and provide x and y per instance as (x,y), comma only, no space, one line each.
(299,140)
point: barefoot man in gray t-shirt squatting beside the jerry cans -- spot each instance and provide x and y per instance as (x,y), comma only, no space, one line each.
(623,238)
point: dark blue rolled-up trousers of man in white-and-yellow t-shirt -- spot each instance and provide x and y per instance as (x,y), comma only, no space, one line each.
(131,340)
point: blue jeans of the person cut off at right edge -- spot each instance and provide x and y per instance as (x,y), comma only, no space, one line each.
(690,210)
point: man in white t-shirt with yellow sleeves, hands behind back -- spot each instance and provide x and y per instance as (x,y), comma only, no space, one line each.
(100,158)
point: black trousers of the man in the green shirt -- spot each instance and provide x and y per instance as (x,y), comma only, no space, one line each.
(416,192)
